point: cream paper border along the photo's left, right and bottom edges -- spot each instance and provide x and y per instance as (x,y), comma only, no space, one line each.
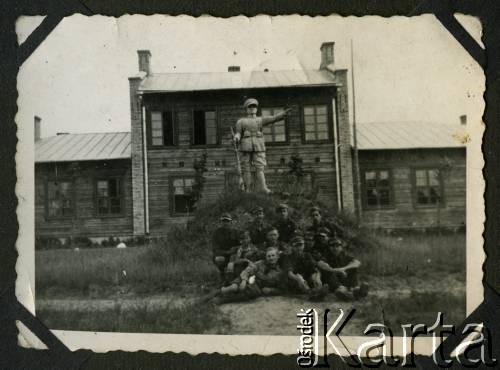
(223,344)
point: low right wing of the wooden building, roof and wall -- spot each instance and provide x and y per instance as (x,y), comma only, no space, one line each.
(413,175)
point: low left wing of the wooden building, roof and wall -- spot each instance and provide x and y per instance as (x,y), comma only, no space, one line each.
(83,185)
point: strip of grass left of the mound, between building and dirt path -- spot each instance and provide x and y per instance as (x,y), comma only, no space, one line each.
(101,272)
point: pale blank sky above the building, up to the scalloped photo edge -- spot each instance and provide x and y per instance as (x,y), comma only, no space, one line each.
(405,69)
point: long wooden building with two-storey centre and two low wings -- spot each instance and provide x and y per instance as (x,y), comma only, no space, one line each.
(411,175)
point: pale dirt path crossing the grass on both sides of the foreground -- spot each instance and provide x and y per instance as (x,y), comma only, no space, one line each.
(272,315)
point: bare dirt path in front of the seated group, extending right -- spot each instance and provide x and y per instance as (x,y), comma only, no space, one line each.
(277,315)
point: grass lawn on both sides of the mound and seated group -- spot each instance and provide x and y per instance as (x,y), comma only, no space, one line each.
(412,277)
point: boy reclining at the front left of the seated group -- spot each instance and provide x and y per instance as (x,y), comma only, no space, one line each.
(269,276)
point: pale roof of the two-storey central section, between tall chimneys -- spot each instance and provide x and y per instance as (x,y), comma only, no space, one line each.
(171,82)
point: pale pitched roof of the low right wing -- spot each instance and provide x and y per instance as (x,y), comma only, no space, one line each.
(409,135)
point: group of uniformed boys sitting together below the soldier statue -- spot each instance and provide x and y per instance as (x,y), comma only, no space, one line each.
(276,259)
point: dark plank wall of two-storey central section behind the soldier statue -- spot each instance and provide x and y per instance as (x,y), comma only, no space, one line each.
(164,163)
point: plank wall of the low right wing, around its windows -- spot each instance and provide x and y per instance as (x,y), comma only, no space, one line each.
(404,213)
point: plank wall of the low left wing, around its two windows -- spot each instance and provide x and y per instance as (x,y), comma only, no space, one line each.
(86,222)
